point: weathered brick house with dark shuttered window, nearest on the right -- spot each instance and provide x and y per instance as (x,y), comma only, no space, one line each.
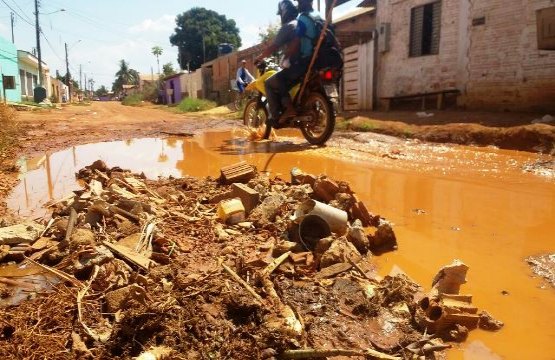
(496,54)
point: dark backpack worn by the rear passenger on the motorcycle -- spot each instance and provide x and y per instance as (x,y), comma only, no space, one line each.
(330,53)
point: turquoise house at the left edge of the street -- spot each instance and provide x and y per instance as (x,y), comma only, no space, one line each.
(9,80)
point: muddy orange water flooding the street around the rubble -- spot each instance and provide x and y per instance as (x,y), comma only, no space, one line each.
(476,205)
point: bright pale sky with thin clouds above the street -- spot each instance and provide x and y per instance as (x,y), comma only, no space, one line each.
(101,32)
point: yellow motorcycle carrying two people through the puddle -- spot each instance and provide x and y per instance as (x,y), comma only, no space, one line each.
(316,109)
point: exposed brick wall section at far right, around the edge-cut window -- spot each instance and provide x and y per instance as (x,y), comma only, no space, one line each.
(506,70)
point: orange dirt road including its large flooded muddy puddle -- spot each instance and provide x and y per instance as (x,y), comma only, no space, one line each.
(489,207)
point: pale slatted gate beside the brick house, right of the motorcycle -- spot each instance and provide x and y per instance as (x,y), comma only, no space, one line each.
(358,77)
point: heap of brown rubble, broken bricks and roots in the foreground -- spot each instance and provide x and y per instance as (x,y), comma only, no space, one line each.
(240,267)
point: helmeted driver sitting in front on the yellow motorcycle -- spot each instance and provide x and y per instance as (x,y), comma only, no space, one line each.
(295,64)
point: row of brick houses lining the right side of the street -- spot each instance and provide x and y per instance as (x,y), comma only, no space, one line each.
(492,54)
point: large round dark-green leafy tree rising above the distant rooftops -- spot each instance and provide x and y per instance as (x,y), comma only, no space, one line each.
(198,33)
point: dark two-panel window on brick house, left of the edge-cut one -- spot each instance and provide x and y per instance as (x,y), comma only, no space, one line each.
(425,28)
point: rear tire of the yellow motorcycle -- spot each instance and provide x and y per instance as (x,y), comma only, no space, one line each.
(320,105)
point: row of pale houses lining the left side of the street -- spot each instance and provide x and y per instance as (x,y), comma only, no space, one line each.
(19,76)
